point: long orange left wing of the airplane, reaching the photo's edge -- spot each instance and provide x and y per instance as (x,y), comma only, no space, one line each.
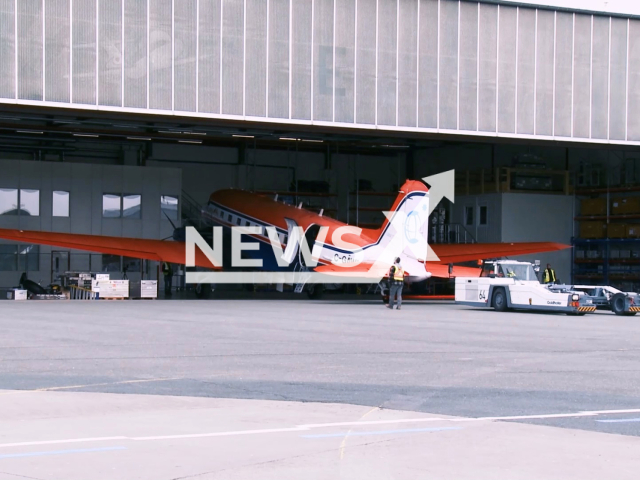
(158,250)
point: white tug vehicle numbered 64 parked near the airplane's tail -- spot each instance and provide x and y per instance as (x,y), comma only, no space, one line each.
(509,284)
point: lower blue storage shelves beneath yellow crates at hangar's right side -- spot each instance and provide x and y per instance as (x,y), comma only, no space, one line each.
(614,262)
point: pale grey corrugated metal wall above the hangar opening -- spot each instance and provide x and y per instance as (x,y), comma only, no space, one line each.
(432,65)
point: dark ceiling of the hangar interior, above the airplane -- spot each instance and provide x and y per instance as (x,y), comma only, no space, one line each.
(239,155)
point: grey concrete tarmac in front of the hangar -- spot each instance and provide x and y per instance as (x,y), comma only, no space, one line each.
(301,389)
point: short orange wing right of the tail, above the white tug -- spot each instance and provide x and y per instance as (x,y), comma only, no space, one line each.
(459,253)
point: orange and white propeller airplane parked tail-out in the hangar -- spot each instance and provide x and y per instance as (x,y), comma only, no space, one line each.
(334,252)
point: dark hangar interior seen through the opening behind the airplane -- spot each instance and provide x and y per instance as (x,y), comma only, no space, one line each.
(134,178)
